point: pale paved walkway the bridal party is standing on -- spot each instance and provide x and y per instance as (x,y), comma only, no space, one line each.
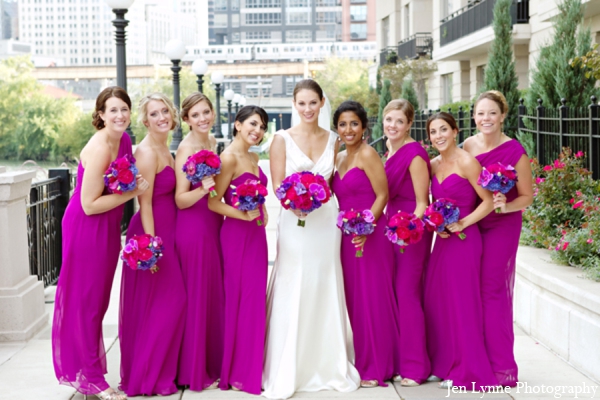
(26,371)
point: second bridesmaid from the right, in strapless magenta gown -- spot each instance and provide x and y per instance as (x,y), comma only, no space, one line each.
(453,316)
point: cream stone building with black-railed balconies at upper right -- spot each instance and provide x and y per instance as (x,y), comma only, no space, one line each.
(458,34)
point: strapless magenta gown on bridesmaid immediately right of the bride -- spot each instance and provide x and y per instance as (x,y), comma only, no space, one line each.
(368,282)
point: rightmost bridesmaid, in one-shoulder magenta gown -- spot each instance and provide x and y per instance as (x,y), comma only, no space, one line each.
(491,146)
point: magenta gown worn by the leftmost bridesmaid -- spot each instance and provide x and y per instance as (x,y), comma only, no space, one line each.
(90,253)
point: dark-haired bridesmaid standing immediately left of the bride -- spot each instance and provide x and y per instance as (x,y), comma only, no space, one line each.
(245,258)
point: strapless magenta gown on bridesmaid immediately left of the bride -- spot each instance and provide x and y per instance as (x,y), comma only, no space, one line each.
(245,266)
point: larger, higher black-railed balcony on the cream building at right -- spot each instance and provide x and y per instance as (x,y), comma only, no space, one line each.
(478,15)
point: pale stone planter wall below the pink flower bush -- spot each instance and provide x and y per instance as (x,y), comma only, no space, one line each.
(558,307)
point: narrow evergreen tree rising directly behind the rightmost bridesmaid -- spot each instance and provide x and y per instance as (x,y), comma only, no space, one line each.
(500,73)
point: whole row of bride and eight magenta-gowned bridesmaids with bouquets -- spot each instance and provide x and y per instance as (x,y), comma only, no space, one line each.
(417,254)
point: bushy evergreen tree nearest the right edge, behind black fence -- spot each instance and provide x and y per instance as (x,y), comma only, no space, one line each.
(554,77)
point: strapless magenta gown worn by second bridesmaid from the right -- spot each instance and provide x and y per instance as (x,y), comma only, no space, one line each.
(453,316)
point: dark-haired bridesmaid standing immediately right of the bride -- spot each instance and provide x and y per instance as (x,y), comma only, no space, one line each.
(360,184)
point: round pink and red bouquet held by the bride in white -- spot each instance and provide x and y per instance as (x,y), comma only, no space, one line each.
(303,191)
